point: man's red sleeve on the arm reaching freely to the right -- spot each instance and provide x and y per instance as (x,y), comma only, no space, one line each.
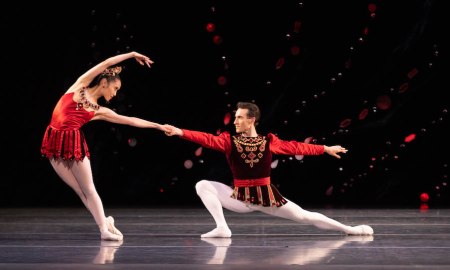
(278,146)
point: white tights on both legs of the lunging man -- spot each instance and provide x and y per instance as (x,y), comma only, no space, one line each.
(216,195)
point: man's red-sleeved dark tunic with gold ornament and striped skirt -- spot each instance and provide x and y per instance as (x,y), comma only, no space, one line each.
(250,161)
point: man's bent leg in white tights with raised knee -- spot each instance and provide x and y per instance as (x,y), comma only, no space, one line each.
(214,196)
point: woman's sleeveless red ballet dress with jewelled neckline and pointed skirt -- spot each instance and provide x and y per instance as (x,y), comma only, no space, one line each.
(63,137)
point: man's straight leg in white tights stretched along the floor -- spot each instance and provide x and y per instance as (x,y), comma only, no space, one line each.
(296,213)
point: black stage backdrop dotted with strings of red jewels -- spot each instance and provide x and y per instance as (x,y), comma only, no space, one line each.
(368,75)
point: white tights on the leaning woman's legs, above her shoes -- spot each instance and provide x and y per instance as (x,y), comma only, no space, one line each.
(78,175)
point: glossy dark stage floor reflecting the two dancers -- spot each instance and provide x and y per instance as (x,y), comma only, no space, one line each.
(169,238)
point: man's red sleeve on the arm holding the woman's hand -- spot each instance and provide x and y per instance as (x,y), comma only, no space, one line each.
(220,142)
